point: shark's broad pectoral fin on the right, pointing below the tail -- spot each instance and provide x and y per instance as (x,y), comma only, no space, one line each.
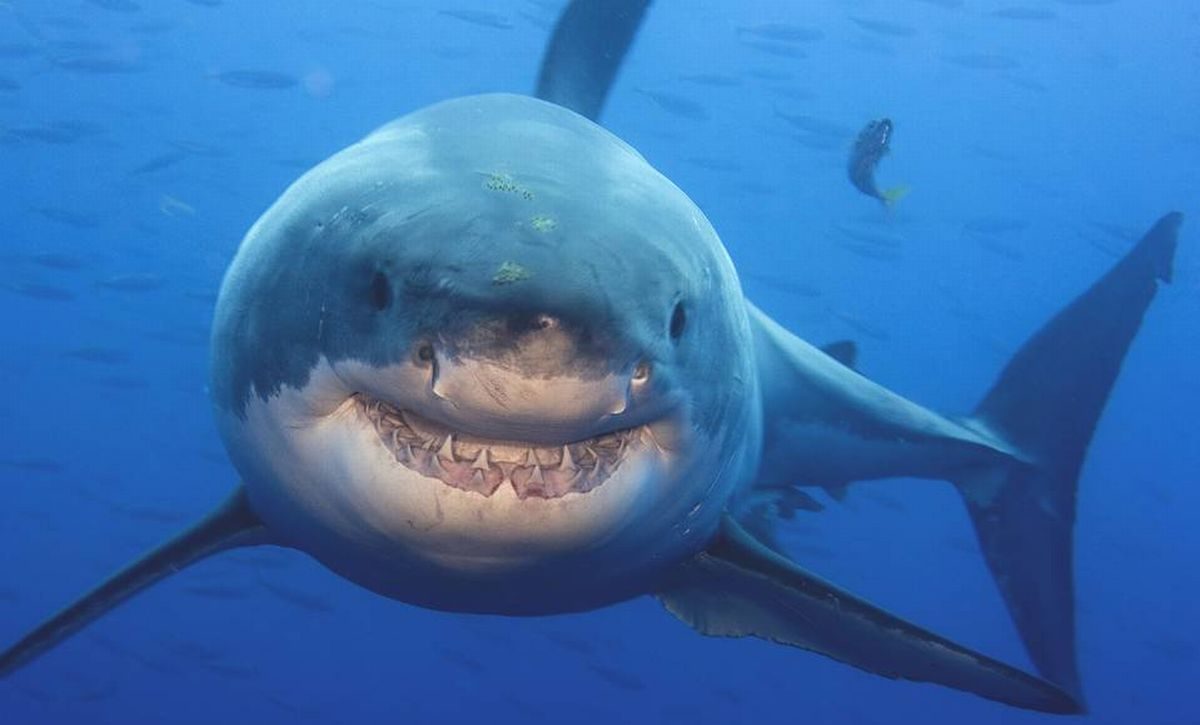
(739,589)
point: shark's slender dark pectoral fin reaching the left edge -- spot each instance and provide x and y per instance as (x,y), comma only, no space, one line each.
(232,525)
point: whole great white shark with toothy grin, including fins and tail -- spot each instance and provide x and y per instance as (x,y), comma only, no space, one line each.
(489,359)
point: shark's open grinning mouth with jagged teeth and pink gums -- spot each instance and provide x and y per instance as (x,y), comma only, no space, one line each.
(482,465)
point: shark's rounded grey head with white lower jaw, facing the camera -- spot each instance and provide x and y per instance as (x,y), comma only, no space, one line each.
(483,349)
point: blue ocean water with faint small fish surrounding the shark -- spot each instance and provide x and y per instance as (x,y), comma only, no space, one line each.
(1039,137)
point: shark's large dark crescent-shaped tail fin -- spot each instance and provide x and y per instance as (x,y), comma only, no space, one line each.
(1047,404)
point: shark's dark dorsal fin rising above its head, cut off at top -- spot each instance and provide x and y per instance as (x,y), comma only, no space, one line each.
(586,51)
